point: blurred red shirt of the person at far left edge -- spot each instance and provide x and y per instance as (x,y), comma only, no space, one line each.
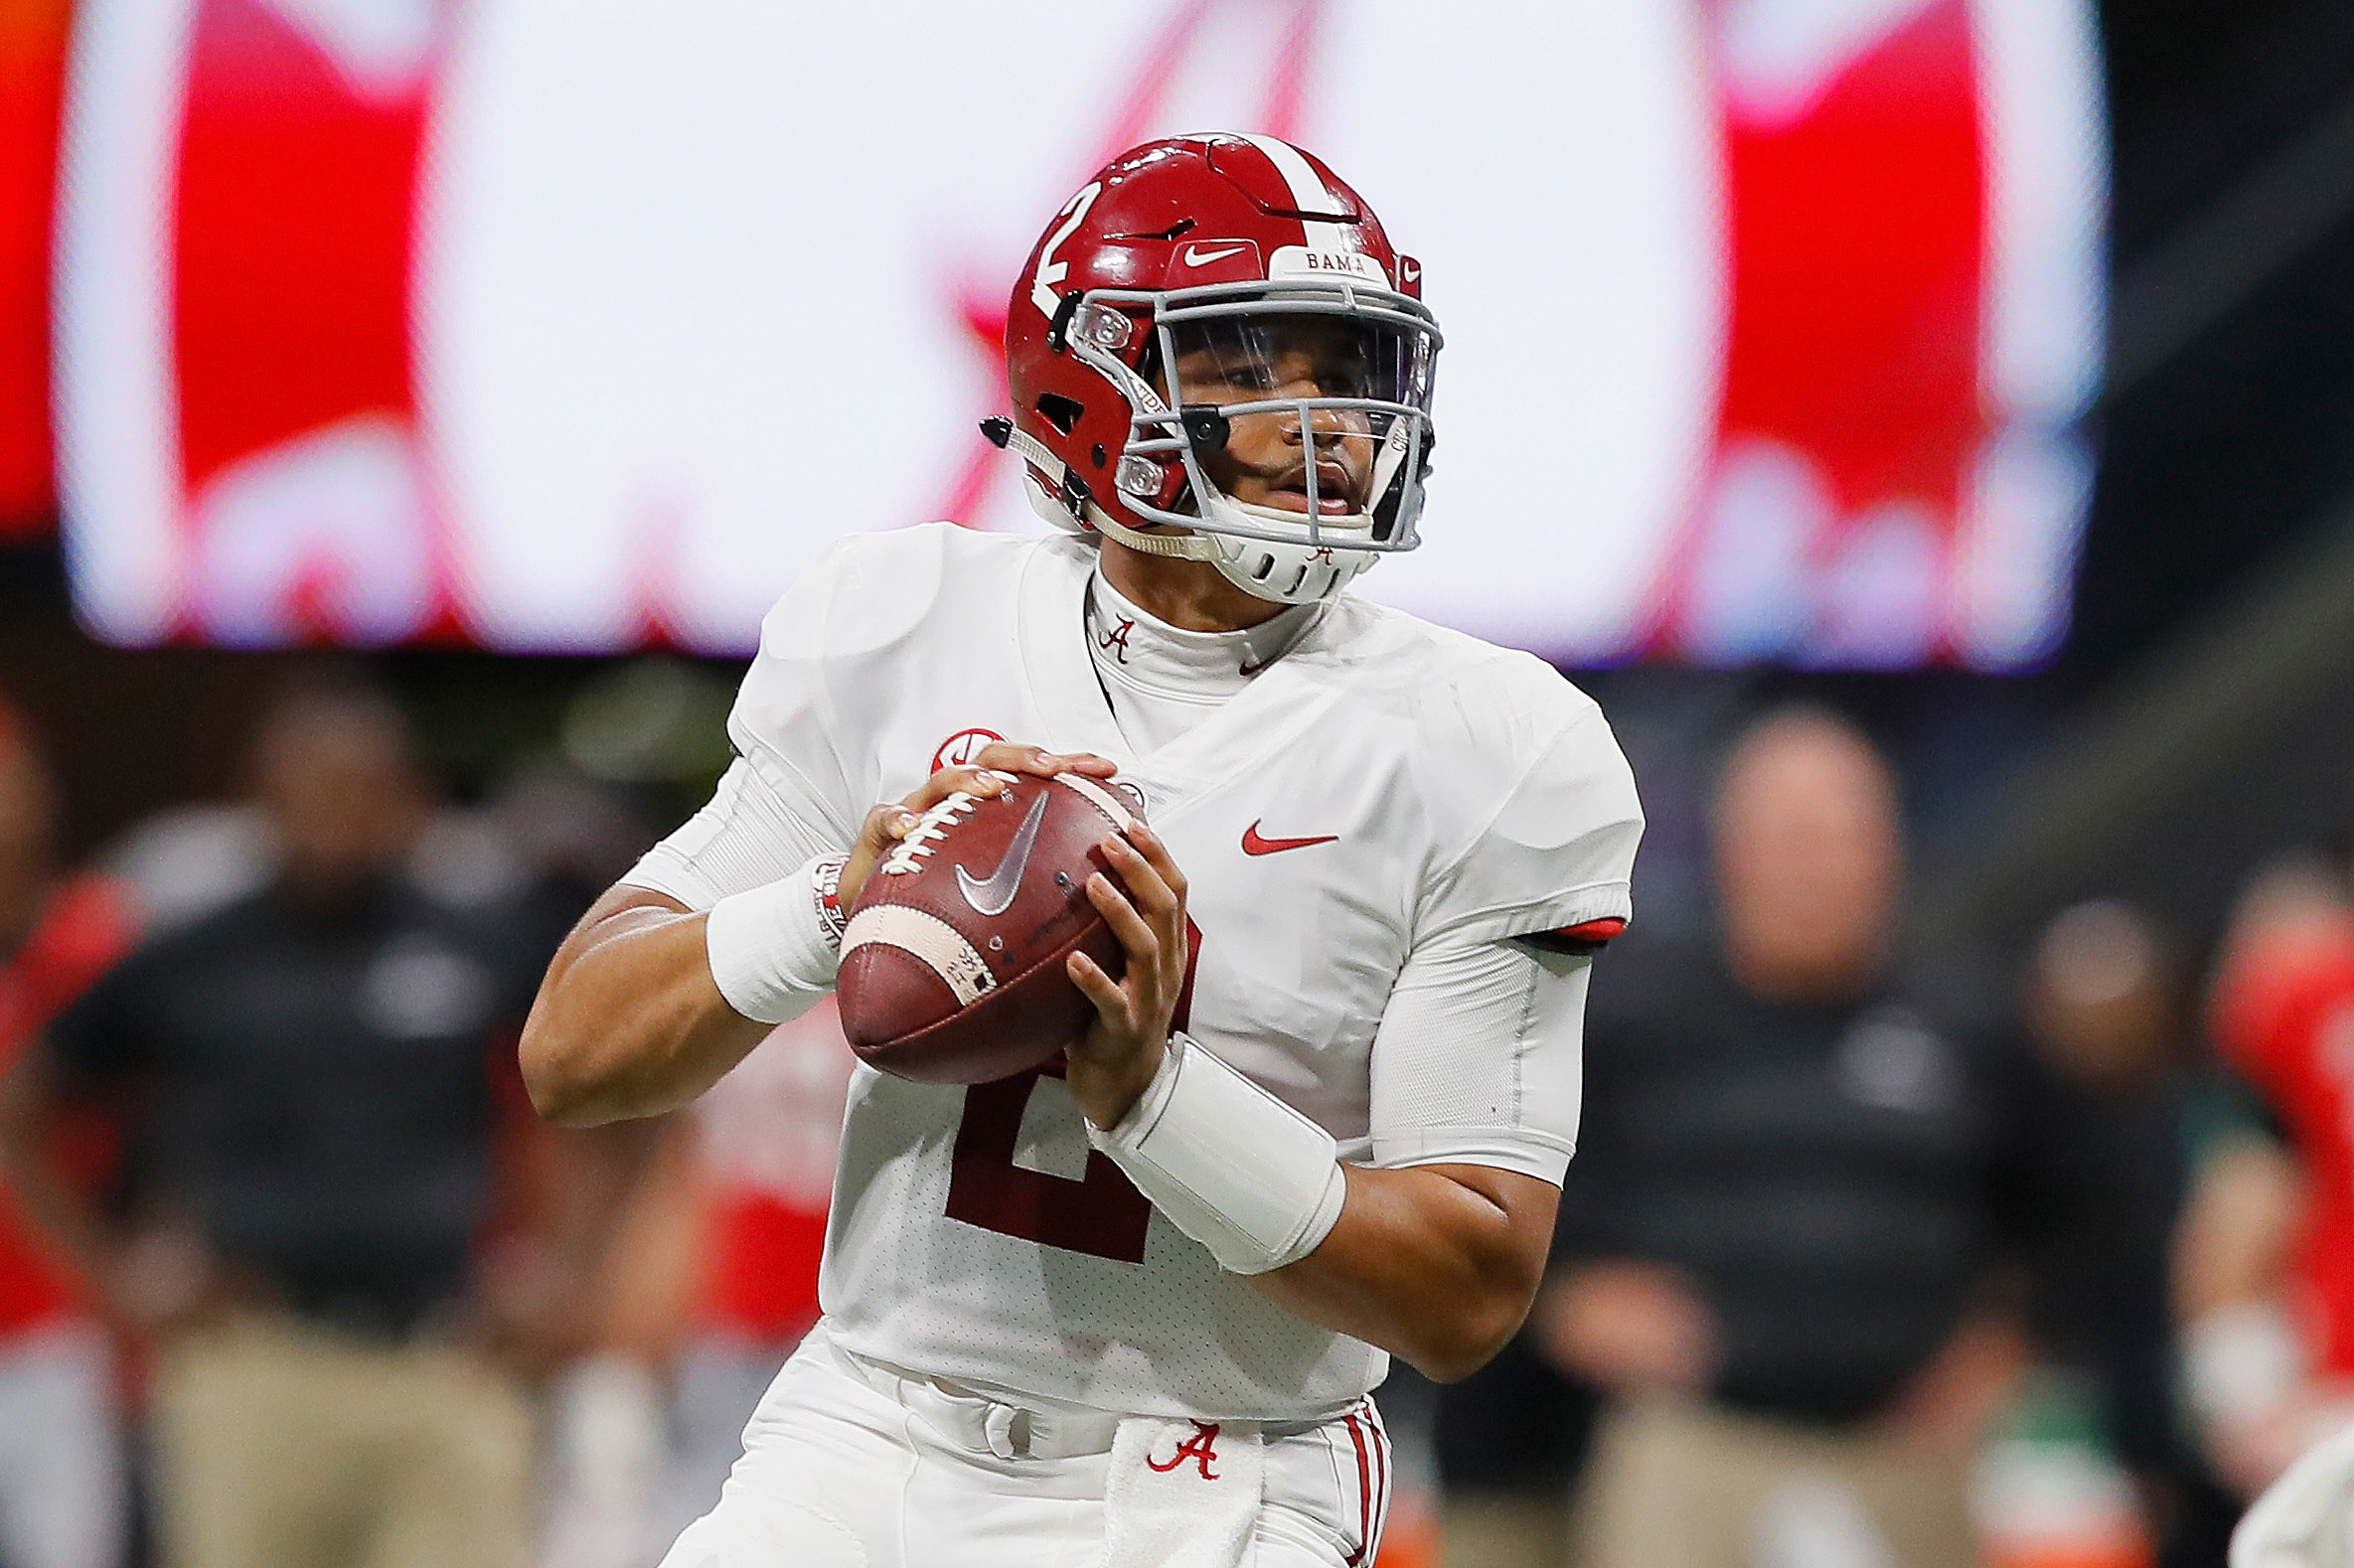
(81,934)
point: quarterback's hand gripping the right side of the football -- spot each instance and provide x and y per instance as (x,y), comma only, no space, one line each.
(1122,1049)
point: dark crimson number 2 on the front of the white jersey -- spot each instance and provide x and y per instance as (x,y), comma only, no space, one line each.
(1103,1214)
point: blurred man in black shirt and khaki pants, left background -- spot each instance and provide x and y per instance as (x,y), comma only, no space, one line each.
(312,1087)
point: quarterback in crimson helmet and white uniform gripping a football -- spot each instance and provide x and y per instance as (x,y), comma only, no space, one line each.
(1131,1308)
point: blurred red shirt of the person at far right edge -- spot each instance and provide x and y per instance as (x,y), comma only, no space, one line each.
(2285,1018)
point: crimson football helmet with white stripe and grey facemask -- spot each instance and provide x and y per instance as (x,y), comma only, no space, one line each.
(1258,272)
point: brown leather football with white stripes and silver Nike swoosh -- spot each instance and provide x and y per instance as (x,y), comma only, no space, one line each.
(955,952)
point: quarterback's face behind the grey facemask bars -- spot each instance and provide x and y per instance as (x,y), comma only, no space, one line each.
(1268,458)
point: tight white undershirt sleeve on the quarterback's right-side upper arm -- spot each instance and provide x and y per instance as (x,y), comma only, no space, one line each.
(1479,1061)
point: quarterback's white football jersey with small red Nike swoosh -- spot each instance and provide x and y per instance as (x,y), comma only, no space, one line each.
(1381,788)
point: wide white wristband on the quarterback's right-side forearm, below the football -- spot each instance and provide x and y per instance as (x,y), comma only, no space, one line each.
(1230,1164)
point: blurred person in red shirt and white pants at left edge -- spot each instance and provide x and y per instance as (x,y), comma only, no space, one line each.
(62,1466)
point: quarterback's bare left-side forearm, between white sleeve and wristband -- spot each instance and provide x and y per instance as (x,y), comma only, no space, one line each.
(630,1021)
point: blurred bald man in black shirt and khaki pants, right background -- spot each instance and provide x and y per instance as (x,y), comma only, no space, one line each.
(1793,1183)
